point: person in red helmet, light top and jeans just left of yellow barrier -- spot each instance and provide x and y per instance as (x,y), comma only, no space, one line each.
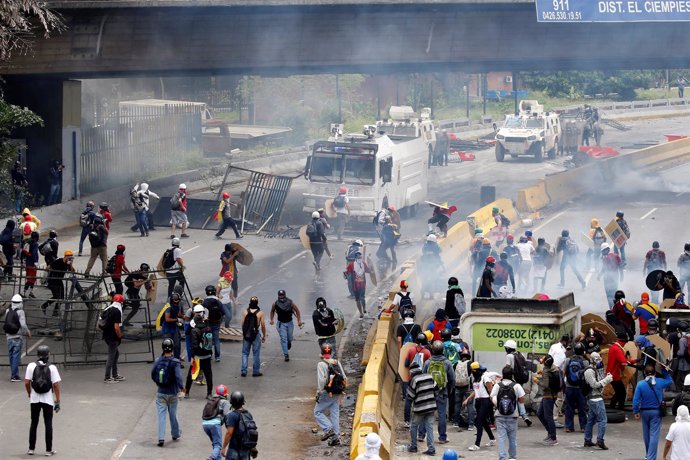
(331,385)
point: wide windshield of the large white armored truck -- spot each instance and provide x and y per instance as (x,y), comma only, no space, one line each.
(348,164)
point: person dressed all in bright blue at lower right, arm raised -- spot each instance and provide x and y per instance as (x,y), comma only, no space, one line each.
(647,406)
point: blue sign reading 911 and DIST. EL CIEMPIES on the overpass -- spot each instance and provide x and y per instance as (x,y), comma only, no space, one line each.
(612,10)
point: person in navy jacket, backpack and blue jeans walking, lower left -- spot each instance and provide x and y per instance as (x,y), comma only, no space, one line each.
(165,373)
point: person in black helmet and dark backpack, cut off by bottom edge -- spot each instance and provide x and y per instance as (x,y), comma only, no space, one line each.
(241,434)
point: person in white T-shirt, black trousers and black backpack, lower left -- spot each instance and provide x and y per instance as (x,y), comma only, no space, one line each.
(42,383)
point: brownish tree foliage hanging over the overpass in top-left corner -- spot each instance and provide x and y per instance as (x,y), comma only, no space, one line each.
(20,20)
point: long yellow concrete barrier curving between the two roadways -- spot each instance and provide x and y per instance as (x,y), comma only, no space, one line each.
(375,409)
